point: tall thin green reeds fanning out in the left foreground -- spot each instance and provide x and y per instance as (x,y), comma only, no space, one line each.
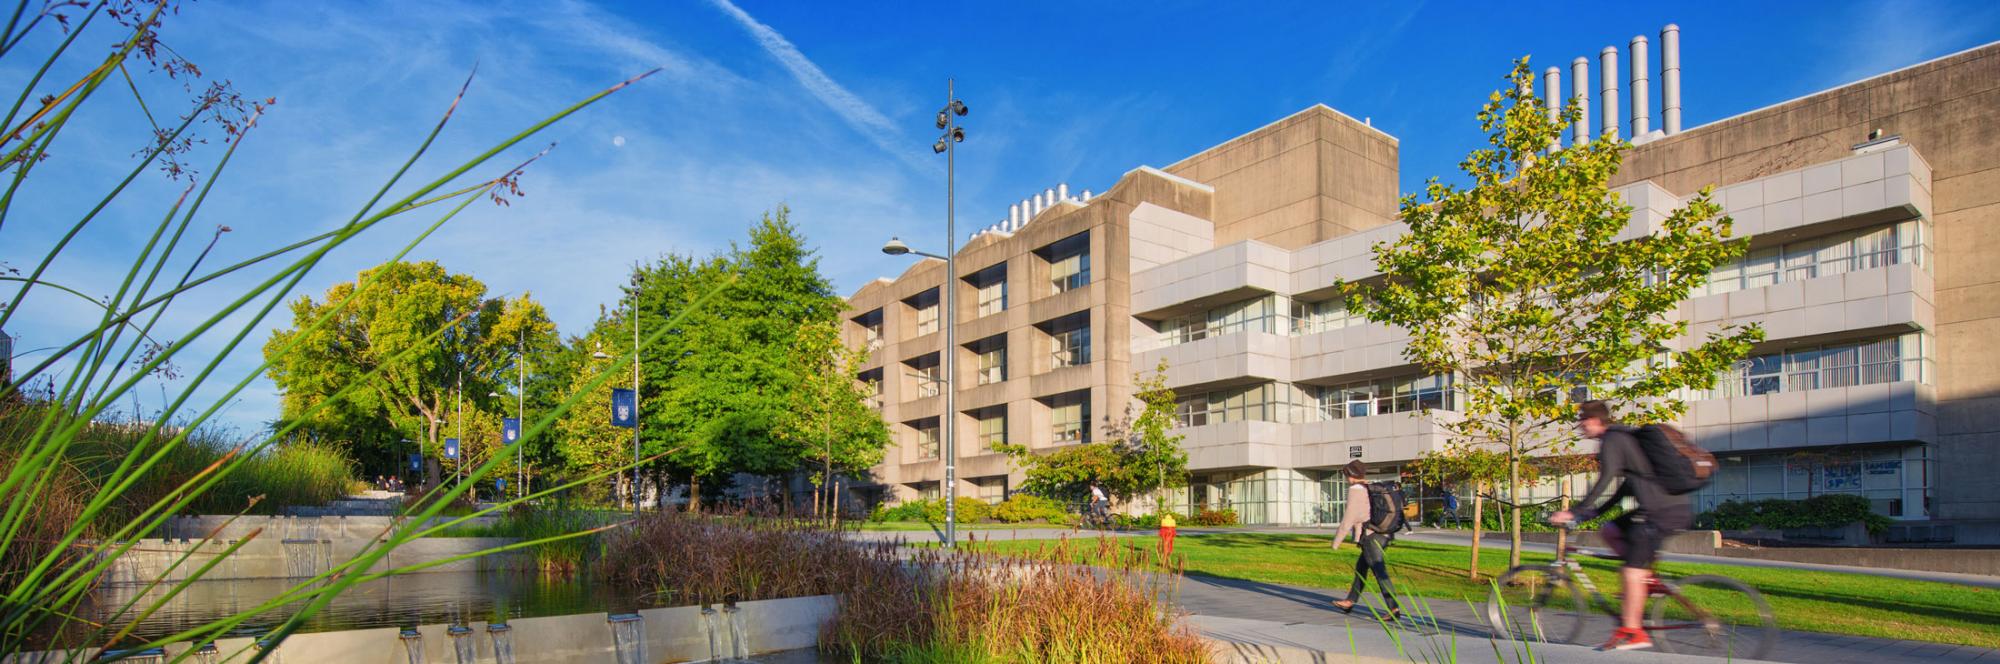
(61,563)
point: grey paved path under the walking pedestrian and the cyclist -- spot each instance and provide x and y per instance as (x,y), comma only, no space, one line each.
(1275,615)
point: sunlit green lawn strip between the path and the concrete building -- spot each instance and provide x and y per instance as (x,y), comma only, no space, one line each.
(1803,601)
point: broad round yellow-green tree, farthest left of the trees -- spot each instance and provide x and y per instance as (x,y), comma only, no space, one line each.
(421,331)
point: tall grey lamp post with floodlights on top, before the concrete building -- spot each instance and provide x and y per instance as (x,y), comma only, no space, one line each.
(949,147)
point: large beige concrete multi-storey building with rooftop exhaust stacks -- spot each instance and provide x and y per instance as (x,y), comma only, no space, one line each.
(1871,211)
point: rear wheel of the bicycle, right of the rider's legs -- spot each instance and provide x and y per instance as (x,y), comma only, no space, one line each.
(1713,617)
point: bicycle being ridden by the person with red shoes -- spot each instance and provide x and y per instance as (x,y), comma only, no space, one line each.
(1557,609)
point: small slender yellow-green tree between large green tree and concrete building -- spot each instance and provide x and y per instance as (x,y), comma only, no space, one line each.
(829,417)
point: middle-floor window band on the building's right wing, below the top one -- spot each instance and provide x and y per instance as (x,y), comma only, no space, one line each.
(1895,359)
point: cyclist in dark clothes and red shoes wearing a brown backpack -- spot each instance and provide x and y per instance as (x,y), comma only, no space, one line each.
(1635,535)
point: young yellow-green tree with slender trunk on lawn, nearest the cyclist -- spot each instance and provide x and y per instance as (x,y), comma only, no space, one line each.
(1521,287)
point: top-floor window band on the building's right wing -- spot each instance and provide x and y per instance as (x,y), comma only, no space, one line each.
(1825,257)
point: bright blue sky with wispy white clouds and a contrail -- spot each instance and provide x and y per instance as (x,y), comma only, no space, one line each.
(827,109)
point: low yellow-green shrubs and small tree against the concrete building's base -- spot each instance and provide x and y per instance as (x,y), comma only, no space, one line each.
(1139,455)
